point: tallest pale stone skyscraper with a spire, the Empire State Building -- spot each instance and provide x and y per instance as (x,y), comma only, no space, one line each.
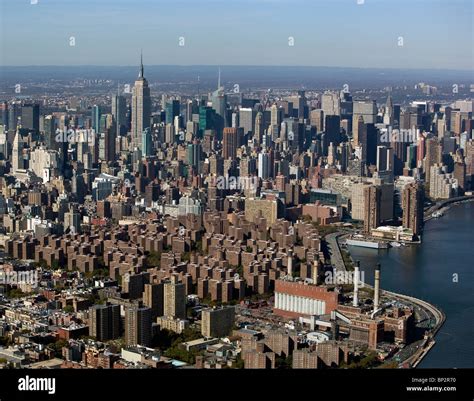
(141,108)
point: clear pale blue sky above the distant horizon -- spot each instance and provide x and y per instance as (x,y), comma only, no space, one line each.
(436,33)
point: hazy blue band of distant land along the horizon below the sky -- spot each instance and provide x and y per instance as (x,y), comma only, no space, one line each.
(246,76)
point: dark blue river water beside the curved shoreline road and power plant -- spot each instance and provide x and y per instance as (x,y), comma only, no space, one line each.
(440,271)
